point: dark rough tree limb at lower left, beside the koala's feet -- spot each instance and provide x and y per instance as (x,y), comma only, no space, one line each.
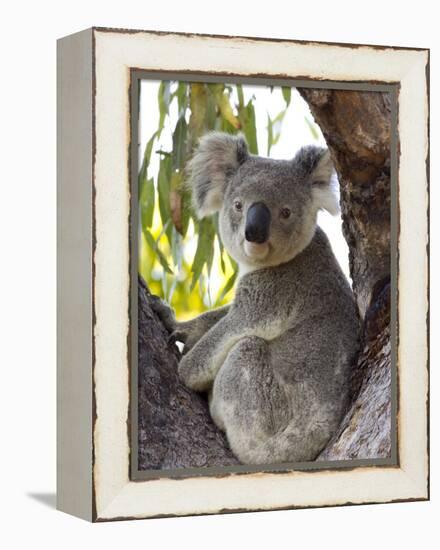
(175,429)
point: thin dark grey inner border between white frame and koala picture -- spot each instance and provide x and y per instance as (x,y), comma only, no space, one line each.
(136,75)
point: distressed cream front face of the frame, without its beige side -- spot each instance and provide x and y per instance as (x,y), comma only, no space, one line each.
(115,53)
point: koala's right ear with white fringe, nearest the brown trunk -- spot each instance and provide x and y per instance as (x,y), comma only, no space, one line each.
(318,167)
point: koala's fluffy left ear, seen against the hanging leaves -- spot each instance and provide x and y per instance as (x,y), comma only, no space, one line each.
(216,158)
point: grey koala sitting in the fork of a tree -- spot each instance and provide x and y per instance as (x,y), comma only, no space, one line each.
(276,363)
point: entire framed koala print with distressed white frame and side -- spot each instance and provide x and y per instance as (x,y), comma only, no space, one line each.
(242,274)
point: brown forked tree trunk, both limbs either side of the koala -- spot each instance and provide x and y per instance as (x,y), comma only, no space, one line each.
(175,428)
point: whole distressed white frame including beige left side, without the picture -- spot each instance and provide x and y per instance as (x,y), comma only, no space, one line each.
(94,76)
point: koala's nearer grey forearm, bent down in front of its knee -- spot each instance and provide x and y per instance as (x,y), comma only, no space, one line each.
(199,367)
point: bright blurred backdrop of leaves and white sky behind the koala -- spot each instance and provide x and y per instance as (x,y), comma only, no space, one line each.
(182,259)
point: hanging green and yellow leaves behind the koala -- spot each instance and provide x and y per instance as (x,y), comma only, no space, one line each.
(170,233)
